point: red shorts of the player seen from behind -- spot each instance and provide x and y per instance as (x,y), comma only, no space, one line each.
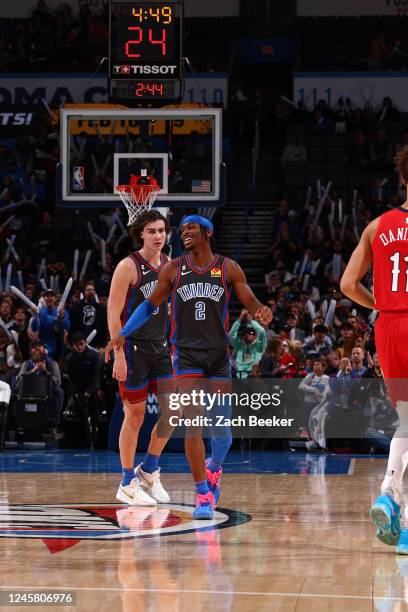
(391,341)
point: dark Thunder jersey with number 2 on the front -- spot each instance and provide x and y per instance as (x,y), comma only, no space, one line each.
(199,305)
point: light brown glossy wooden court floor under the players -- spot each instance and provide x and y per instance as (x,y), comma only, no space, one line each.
(309,546)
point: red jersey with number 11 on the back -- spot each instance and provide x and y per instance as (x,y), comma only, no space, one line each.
(390,261)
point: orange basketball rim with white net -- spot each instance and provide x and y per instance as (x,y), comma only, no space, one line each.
(139,196)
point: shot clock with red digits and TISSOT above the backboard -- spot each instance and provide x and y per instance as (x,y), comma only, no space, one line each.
(145,59)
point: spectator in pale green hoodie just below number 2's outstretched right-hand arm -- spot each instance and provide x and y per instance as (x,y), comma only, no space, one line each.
(249,342)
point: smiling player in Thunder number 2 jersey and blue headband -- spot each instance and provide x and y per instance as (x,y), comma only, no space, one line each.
(199,283)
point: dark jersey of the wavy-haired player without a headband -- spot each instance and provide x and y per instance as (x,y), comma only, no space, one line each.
(155,329)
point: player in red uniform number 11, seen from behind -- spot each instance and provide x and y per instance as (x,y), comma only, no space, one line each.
(384,243)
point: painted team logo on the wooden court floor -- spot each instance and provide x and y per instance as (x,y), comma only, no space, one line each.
(63,526)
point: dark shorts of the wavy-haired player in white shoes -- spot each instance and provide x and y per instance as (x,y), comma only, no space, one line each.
(146,368)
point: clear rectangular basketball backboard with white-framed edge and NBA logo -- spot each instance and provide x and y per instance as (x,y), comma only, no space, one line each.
(102,148)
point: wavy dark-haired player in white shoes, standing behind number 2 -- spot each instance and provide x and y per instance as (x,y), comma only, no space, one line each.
(144,360)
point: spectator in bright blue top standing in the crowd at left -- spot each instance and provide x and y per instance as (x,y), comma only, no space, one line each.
(50,326)
